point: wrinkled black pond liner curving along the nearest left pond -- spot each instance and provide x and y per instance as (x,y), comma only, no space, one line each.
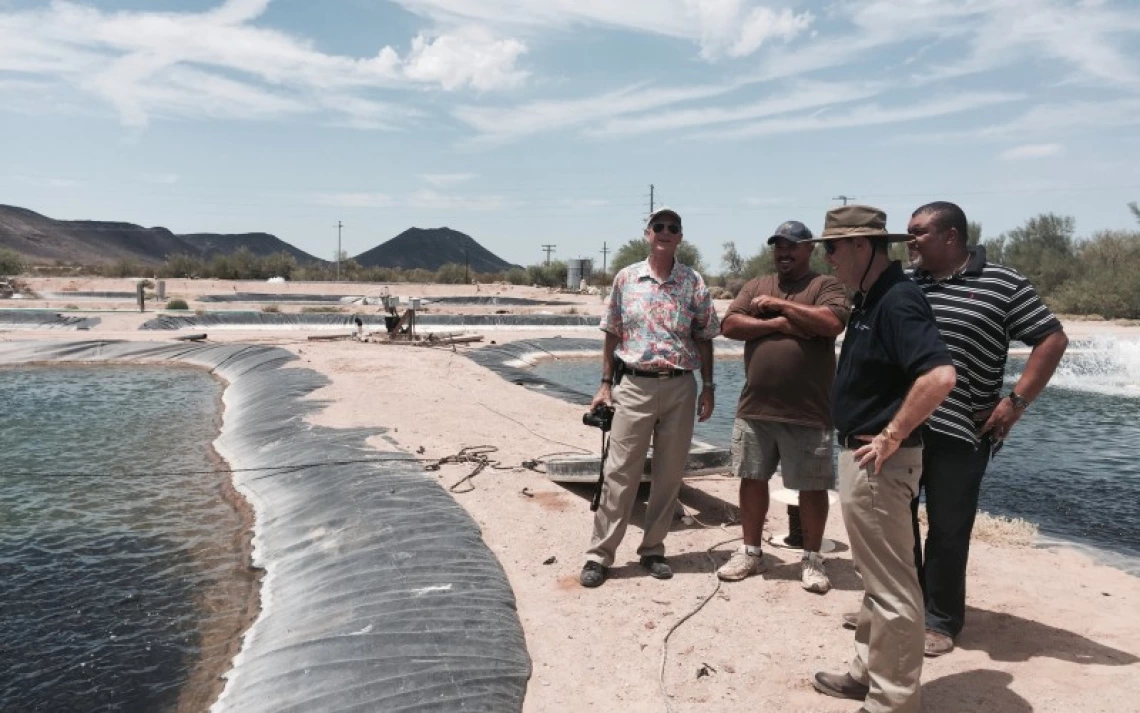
(379,593)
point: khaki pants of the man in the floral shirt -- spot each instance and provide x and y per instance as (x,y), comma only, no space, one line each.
(663,410)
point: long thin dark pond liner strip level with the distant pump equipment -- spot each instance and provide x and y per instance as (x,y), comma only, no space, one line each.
(259,320)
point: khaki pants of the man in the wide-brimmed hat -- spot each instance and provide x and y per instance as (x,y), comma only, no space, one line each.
(890,637)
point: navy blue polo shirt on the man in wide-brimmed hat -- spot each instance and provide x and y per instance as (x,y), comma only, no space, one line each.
(892,339)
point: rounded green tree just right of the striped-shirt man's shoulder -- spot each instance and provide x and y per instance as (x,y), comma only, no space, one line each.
(1043,249)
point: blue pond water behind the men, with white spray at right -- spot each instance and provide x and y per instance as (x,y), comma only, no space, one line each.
(1072,465)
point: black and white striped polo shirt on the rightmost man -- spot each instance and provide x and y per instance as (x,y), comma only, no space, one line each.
(980,311)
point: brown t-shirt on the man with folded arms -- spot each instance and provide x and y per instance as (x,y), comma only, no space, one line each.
(789,379)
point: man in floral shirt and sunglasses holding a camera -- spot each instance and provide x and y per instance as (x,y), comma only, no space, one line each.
(659,323)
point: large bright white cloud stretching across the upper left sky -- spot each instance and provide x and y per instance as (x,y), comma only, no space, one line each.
(219,64)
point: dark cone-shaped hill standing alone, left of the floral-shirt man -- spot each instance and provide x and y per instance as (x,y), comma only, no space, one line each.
(431,249)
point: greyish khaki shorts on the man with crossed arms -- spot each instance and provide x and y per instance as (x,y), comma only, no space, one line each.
(804,453)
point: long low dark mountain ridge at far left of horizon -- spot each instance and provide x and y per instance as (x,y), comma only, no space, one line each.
(40,239)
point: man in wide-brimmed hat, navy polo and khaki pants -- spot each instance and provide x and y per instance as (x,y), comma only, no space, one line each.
(894,371)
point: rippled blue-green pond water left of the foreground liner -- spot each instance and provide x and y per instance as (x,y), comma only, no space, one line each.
(125,584)
